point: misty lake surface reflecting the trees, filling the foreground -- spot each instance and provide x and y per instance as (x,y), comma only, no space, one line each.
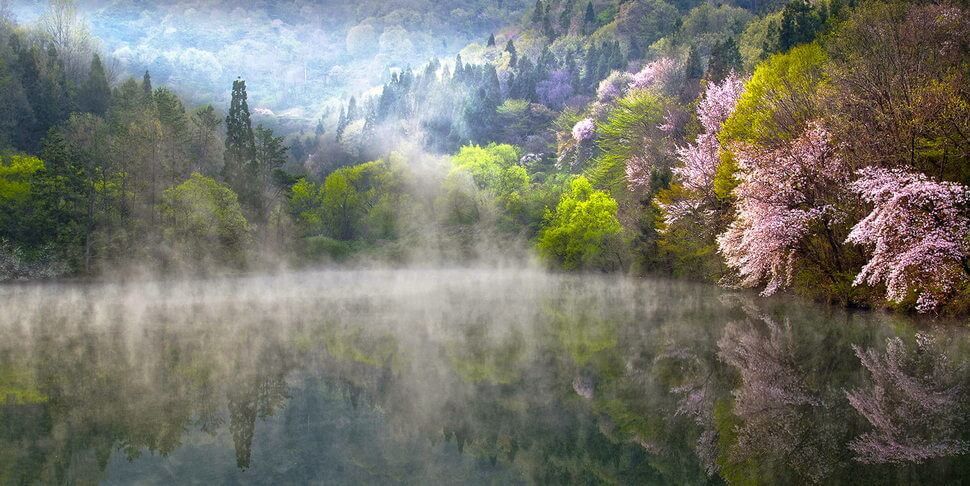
(470,376)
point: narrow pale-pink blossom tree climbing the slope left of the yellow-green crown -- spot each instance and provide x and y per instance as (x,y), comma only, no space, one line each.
(700,160)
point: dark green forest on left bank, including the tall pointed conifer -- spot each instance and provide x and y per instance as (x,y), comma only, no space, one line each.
(95,177)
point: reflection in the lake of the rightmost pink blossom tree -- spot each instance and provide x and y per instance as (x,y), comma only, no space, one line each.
(915,405)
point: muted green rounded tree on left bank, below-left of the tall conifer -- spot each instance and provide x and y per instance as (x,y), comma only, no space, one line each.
(203,219)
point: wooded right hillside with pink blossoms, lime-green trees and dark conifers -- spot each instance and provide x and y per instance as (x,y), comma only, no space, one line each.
(819,147)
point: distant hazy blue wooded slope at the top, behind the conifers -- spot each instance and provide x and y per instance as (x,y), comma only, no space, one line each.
(296,55)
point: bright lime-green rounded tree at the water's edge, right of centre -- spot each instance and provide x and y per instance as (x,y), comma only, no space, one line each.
(584,223)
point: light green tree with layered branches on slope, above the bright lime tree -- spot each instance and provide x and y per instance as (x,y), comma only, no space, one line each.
(621,137)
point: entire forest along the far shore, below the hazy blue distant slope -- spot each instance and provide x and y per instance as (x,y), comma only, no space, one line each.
(818,148)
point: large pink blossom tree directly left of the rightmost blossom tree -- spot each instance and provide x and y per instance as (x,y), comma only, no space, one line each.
(780,194)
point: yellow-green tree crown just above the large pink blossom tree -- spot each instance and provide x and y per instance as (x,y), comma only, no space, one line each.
(779,99)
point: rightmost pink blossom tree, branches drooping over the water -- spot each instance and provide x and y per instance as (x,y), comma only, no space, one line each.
(919,232)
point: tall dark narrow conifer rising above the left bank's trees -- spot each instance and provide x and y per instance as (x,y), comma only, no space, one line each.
(239,170)
